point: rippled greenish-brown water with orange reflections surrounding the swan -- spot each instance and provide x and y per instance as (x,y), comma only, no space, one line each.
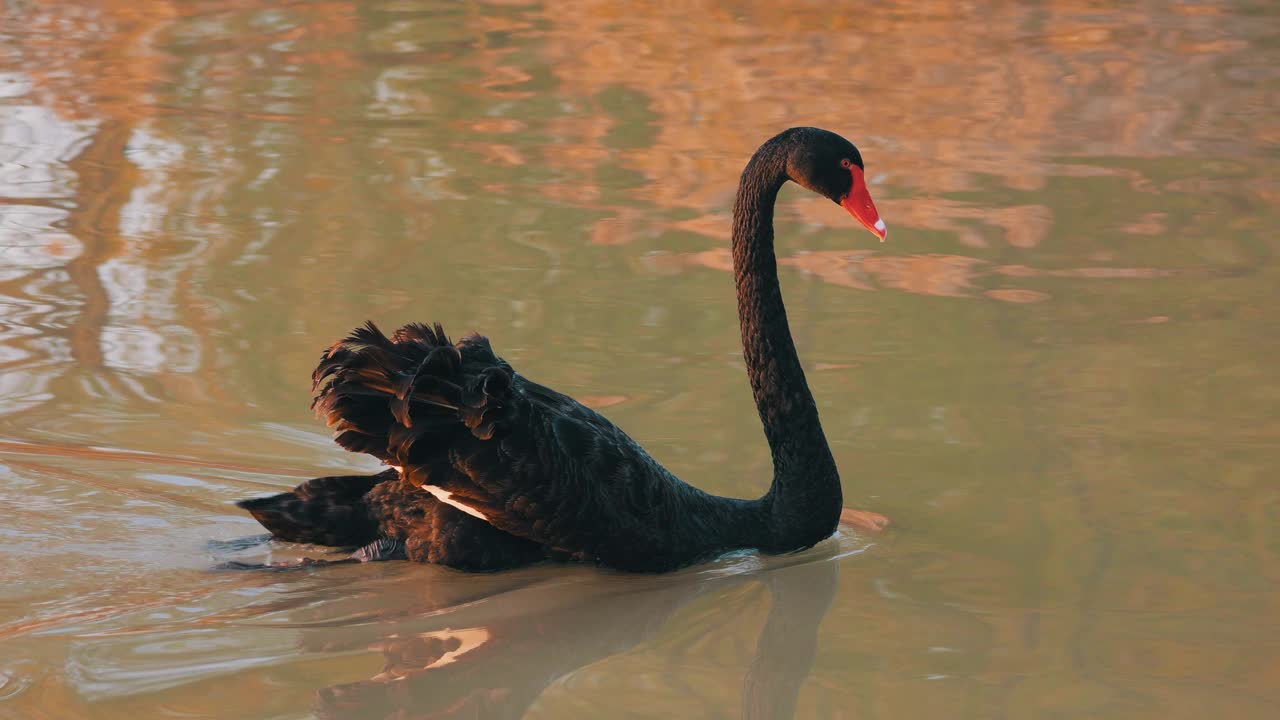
(1058,377)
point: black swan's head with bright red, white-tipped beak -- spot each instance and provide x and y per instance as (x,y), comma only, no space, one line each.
(833,167)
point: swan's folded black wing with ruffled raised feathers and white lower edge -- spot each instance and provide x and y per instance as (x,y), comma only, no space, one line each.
(527,459)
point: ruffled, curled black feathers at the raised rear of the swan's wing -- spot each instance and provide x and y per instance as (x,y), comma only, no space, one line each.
(385,397)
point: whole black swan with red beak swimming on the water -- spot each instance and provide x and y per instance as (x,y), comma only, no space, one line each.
(491,471)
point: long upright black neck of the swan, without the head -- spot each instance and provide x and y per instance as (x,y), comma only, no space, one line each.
(803,504)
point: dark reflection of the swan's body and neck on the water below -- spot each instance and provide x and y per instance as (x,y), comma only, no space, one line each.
(500,668)
